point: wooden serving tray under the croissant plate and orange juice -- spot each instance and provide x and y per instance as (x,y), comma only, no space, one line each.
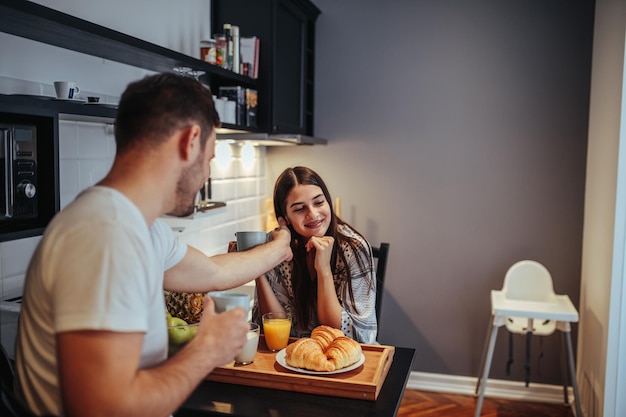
(363,383)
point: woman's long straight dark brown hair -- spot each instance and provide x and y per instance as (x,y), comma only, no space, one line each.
(304,288)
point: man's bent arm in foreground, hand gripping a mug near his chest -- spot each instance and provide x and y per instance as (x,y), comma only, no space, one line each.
(100,375)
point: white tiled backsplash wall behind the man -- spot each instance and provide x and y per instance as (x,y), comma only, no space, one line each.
(86,152)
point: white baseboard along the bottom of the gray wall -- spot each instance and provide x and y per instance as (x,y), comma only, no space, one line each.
(512,390)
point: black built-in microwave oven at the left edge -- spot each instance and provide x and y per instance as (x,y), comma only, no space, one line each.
(28,174)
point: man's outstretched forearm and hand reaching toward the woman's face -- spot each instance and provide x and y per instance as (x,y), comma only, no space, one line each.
(197,272)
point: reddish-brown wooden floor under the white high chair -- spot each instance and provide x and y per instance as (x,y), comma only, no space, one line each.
(432,404)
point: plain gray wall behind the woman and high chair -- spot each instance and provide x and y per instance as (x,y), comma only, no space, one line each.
(457,132)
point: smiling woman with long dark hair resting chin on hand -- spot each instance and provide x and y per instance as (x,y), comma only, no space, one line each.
(331,279)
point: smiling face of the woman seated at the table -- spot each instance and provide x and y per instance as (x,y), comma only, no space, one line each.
(307,210)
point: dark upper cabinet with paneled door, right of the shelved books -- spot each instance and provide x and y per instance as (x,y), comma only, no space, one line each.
(286,29)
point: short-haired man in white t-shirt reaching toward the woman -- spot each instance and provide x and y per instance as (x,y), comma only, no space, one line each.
(92,337)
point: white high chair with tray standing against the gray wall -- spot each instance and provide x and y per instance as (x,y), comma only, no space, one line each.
(528,305)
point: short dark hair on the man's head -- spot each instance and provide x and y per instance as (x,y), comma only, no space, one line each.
(154,107)
